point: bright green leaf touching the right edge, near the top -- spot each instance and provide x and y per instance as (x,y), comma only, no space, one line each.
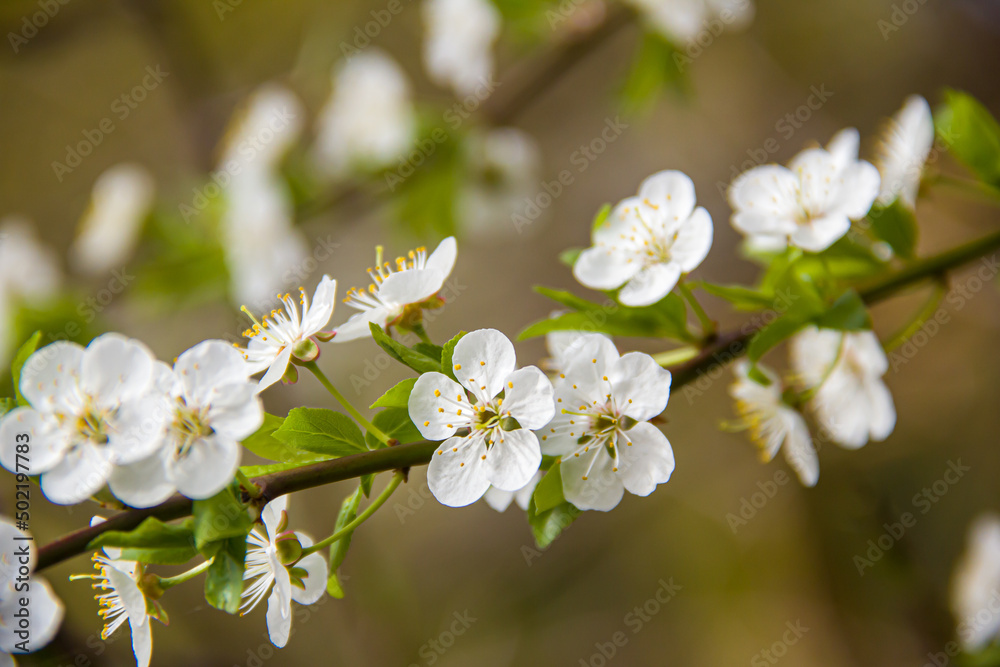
(972,135)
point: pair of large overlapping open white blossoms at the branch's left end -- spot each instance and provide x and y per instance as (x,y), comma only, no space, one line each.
(111,412)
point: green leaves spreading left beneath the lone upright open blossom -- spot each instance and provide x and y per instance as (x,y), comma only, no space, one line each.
(664,319)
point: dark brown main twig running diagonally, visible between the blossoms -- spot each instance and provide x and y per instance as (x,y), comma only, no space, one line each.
(723,349)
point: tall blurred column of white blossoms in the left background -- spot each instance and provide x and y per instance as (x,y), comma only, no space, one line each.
(261,243)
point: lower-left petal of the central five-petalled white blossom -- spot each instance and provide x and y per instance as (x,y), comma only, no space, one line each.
(457,474)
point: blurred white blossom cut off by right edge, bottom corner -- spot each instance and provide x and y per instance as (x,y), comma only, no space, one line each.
(976,585)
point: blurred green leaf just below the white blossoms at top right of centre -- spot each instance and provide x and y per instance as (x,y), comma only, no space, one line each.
(658,66)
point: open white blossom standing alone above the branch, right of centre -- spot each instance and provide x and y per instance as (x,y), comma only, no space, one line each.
(648,242)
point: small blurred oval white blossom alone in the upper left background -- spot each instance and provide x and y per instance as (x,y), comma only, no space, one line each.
(121,200)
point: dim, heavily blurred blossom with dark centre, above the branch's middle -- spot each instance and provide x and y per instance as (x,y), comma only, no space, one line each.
(504,169)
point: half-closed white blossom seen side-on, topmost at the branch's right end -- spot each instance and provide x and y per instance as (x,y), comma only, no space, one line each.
(906,144)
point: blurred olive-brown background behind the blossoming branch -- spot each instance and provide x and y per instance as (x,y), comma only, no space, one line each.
(426,584)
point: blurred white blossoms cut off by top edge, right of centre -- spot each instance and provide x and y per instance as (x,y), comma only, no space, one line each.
(683,21)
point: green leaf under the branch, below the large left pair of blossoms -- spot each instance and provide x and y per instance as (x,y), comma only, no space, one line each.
(152,541)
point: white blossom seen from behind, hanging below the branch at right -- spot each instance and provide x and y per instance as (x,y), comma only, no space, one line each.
(844,371)
